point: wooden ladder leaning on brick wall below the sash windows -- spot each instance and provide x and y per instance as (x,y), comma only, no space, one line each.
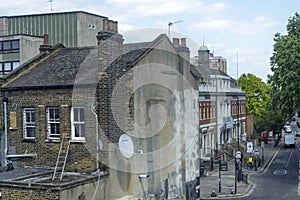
(61,159)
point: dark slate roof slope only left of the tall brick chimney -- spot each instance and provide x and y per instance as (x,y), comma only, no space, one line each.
(61,68)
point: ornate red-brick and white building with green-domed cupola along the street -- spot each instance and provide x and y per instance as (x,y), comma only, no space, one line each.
(222,109)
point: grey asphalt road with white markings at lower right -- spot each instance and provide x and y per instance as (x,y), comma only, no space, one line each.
(281,179)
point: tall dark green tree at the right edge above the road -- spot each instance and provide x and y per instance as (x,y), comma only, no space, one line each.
(285,65)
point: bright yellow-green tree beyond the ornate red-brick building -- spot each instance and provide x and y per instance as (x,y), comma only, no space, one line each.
(257,100)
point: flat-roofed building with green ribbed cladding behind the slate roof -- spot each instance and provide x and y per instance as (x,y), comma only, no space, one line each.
(21,36)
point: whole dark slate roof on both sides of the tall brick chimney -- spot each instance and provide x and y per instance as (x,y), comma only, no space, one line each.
(66,67)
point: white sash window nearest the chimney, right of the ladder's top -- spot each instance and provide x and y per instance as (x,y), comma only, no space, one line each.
(77,123)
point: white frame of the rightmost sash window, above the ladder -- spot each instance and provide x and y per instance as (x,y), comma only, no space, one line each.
(80,123)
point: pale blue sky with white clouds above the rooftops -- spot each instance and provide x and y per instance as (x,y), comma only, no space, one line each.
(240,31)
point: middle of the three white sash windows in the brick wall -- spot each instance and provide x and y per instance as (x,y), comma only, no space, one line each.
(53,122)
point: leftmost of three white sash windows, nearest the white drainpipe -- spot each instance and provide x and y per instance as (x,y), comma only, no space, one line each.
(29,123)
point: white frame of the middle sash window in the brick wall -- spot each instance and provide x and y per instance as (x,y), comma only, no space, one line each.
(53,121)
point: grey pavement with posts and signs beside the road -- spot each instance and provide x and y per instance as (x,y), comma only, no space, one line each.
(209,183)
